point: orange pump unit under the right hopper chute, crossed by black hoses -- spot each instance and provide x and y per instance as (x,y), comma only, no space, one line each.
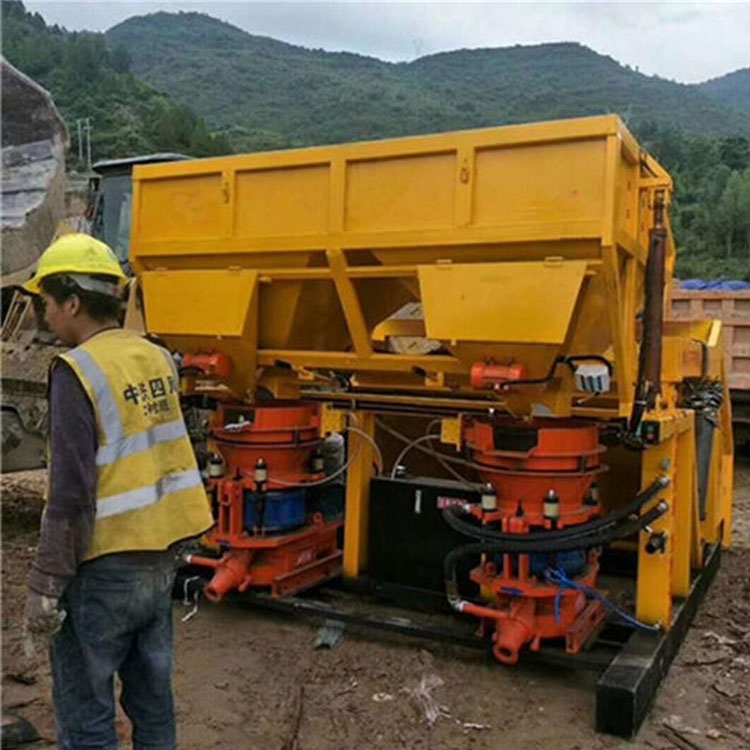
(540,476)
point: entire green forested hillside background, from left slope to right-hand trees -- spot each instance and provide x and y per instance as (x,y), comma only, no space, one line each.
(260,93)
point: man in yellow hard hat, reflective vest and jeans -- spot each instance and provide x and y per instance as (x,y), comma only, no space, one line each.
(123,491)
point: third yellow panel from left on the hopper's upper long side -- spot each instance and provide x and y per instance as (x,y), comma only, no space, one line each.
(415,192)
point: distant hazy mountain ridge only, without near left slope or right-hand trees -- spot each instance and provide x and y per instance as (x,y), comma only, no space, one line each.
(265,94)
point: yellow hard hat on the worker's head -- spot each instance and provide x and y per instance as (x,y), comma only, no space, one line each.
(75,254)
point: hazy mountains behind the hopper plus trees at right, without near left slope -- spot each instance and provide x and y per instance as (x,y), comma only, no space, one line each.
(265,94)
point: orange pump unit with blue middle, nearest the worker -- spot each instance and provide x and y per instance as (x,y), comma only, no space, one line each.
(261,484)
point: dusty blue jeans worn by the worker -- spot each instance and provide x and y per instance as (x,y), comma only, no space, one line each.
(119,620)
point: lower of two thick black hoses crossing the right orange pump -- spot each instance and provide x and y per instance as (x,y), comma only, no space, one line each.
(565,545)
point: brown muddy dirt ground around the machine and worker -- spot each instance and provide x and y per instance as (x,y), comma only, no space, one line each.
(246,679)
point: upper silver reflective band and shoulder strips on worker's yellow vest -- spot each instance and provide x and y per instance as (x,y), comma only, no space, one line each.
(117,446)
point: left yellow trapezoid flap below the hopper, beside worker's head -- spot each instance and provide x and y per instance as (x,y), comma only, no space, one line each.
(195,303)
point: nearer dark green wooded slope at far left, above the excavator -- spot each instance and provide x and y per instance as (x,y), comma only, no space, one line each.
(87,78)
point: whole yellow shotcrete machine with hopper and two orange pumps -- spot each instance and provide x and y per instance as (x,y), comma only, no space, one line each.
(439,369)
